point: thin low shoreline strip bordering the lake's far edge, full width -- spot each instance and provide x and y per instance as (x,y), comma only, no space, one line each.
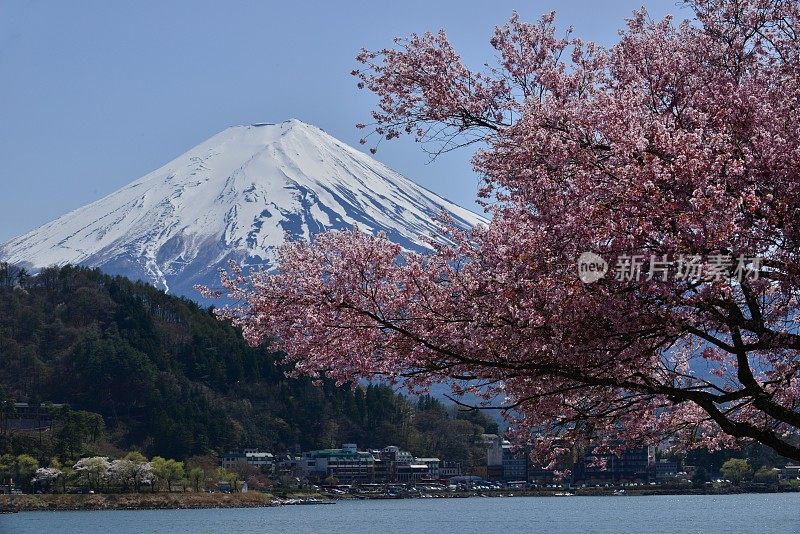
(253,499)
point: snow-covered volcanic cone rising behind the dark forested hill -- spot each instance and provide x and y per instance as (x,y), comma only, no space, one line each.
(235,196)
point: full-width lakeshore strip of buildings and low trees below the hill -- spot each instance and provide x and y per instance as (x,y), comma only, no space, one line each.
(350,472)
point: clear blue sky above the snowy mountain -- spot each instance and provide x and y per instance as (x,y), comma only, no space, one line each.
(95,94)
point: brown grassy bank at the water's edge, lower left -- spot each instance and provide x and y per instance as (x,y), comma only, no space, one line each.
(136,501)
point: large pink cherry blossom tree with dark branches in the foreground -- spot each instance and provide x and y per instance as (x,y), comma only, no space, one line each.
(673,155)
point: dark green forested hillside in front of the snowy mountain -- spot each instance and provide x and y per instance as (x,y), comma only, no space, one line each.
(170,379)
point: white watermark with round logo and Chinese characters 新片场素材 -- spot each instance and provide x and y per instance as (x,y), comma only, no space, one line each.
(692,268)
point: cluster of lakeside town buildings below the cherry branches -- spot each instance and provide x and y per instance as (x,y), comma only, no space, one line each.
(393,472)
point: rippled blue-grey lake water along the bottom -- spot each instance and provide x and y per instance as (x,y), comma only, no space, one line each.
(761,513)
